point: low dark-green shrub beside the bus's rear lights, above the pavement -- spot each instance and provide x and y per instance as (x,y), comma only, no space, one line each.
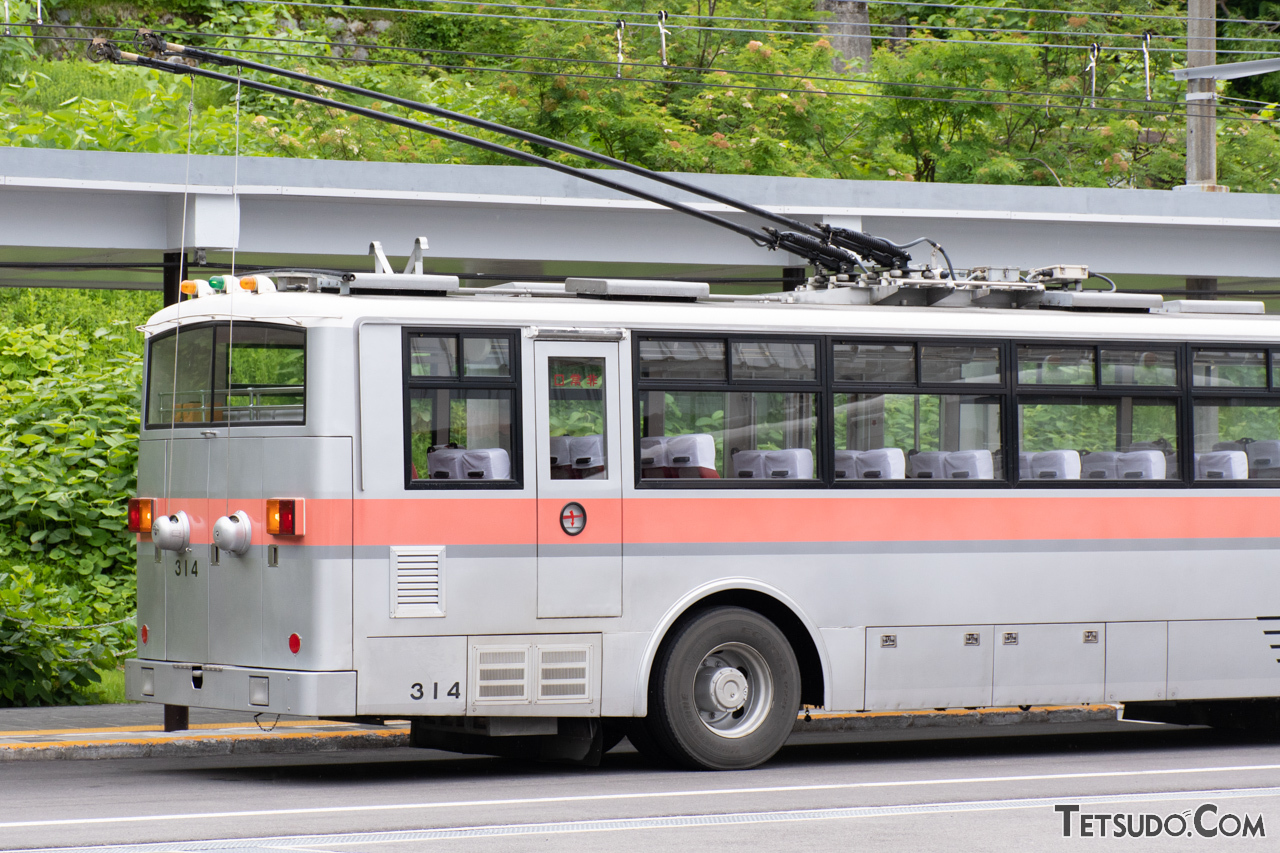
(40,662)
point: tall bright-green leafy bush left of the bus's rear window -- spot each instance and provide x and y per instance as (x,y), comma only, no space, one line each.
(68,449)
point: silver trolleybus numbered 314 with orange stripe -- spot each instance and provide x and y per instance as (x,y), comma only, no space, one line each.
(529,518)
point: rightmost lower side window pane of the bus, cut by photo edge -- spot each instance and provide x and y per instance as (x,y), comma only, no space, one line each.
(1237,439)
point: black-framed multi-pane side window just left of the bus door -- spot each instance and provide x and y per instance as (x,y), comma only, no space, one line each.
(461,412)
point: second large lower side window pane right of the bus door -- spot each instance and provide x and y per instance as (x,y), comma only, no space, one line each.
(926,437)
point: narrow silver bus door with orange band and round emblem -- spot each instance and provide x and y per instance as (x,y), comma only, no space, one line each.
(579,480)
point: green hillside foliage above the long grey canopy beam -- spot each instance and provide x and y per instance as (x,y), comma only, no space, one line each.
(954,95)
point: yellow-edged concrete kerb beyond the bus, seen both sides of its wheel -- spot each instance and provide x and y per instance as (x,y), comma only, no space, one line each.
(100,745)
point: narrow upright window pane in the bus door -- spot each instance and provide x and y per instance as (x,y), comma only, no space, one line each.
(578,428)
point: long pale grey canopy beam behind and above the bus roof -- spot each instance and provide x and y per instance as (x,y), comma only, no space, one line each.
(92,207)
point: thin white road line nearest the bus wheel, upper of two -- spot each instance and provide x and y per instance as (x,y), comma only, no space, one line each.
(656,795)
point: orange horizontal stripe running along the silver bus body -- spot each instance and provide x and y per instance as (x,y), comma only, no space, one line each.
(715,519)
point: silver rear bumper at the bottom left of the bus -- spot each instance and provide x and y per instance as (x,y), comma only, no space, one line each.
(241,688)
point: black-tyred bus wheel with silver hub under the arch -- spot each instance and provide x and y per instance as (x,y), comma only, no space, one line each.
(726,691)
